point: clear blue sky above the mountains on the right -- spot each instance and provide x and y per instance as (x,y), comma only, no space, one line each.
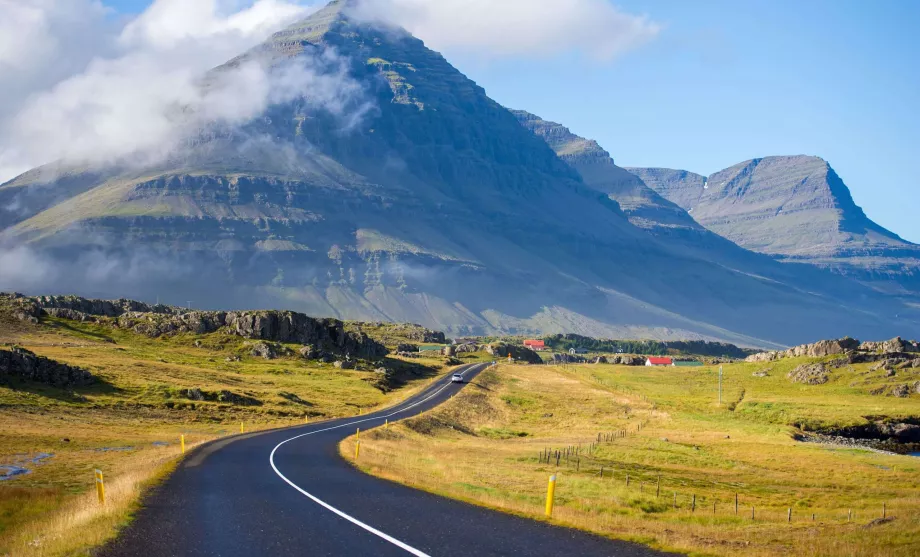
(726,81)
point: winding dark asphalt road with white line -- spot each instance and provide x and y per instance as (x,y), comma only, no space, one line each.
(288,492)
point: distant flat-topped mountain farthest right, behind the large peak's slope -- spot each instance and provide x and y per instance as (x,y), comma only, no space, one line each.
(796,209)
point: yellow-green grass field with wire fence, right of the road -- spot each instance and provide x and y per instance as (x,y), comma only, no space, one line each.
(485,447)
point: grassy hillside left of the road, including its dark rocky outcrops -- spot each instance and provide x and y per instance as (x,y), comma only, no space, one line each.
(112,385)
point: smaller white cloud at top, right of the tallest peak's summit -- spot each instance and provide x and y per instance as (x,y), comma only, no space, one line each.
(512,28)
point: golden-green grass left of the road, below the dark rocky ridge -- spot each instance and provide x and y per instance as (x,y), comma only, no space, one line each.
(128,426)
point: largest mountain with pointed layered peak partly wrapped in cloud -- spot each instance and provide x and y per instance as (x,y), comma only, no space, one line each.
(414,198)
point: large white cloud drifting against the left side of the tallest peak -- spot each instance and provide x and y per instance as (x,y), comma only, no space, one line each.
(91,91)
